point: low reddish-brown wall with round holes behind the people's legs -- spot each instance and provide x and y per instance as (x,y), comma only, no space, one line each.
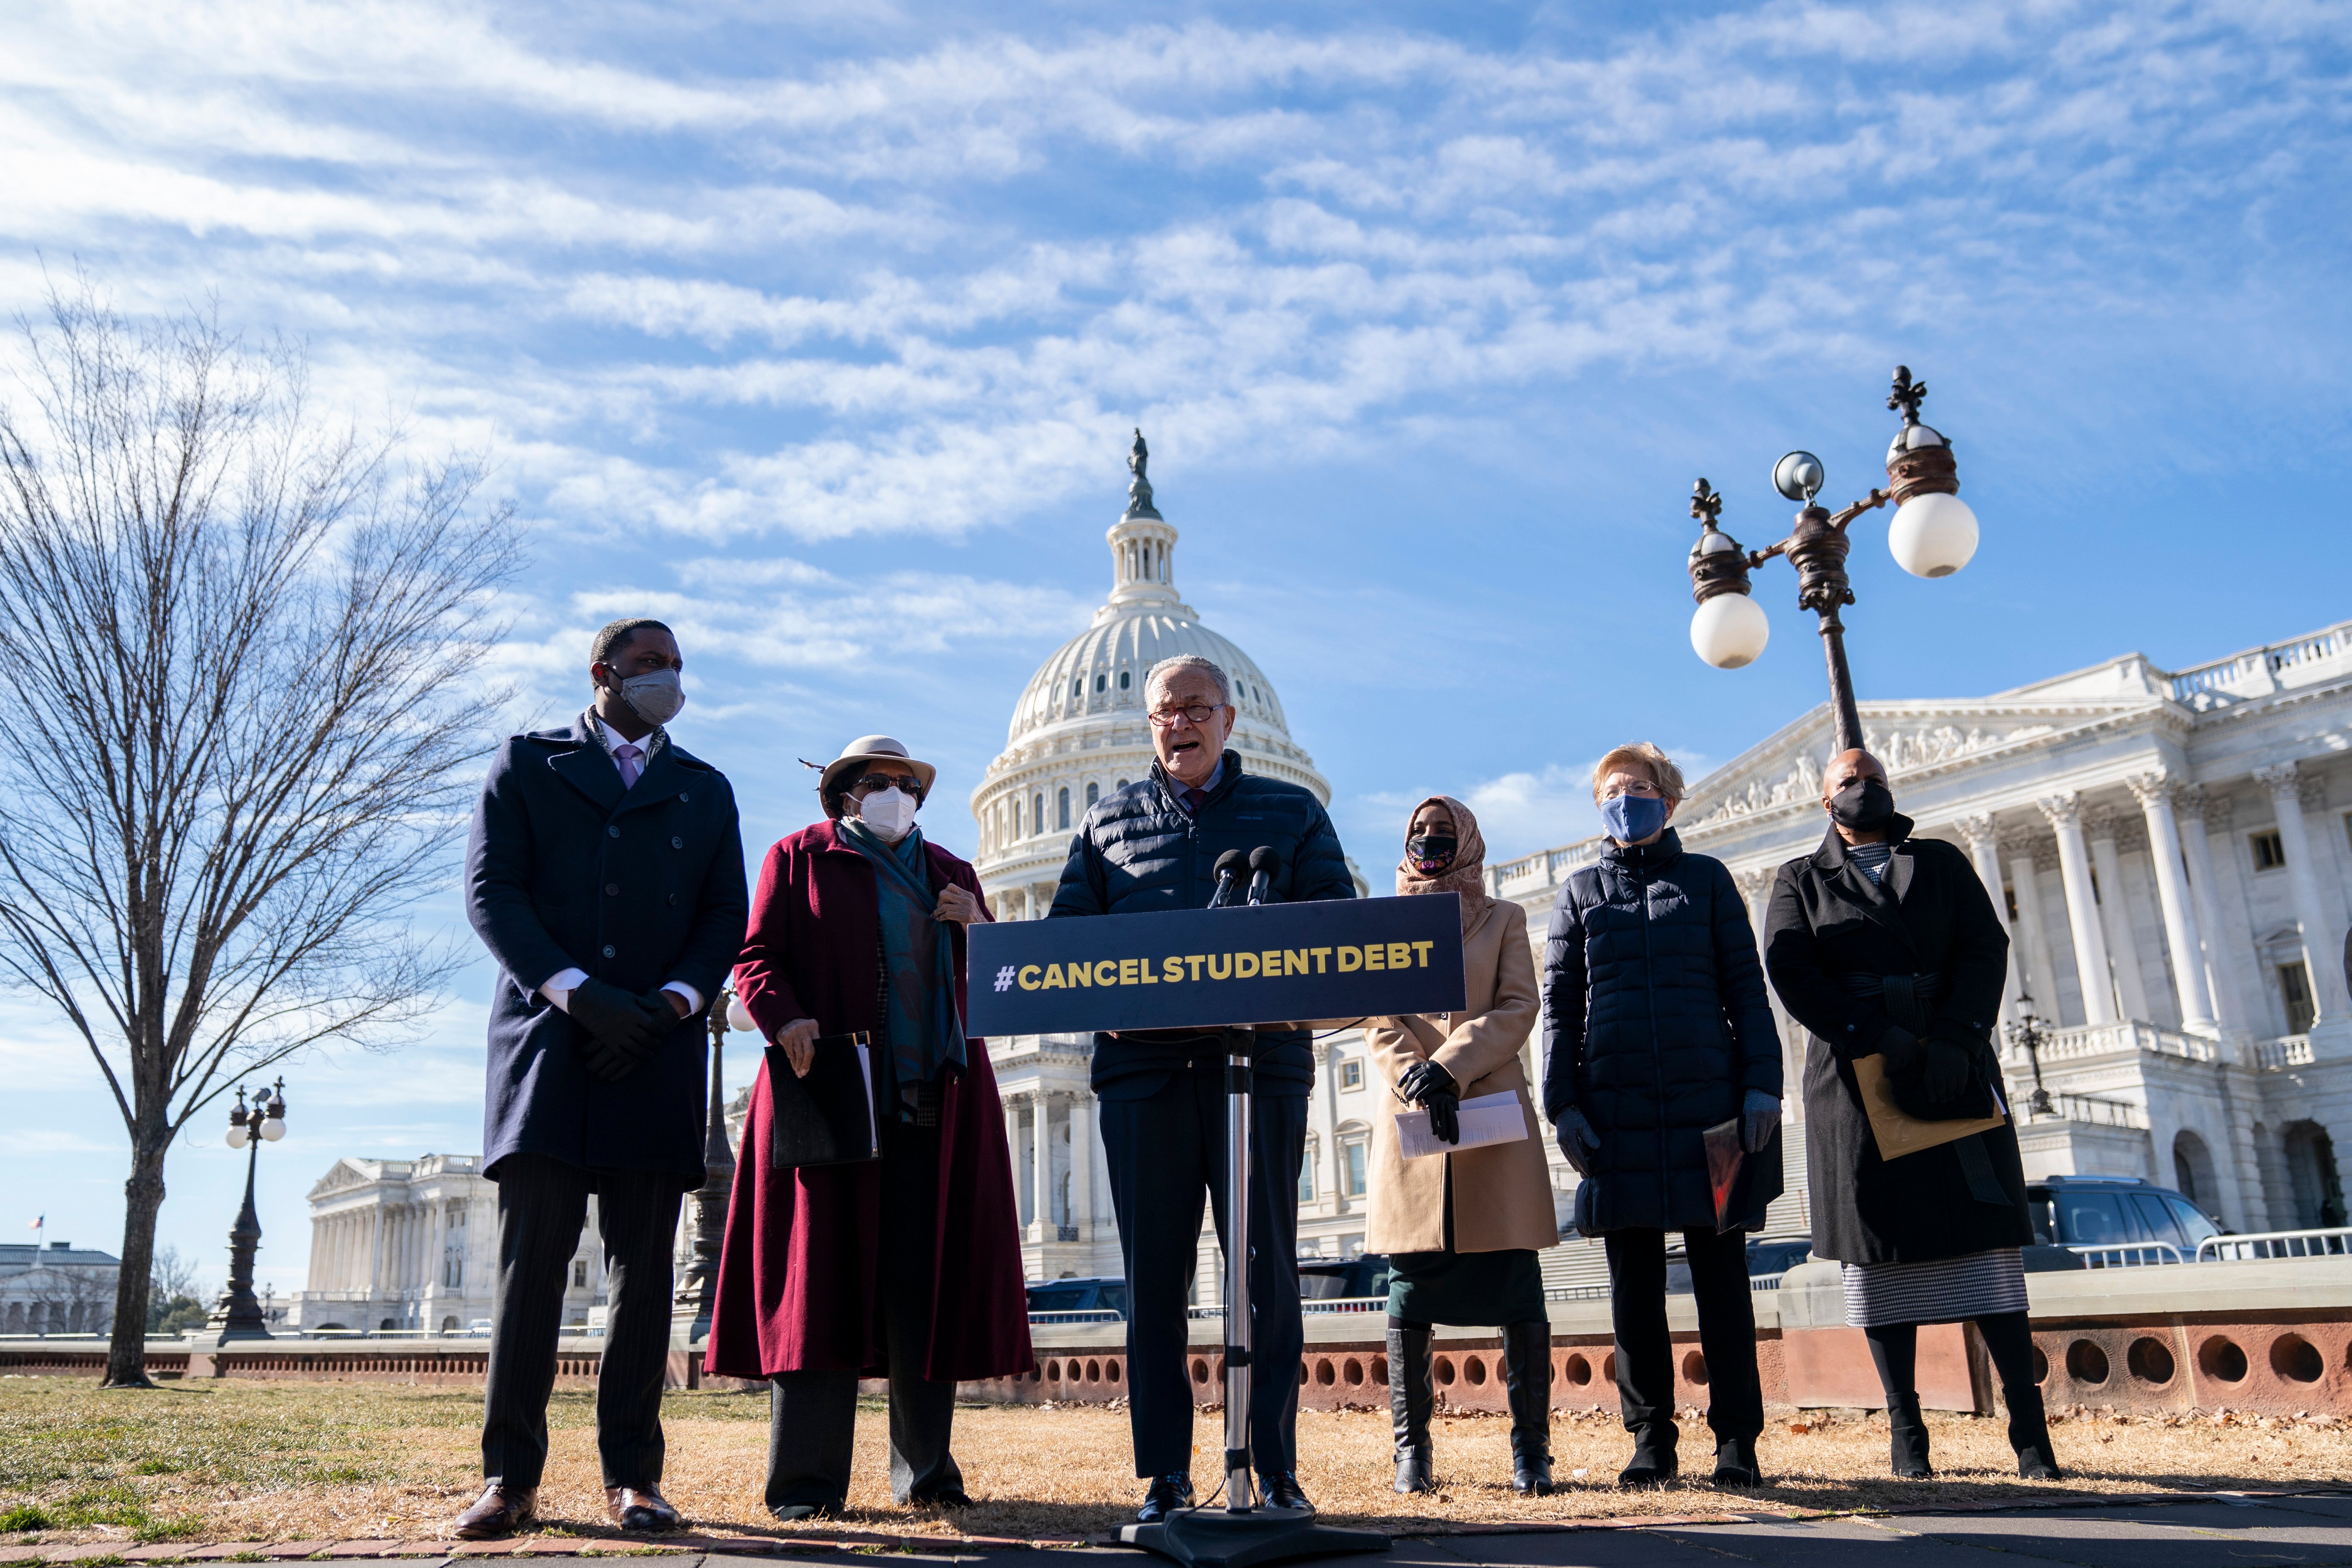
(2245,1336)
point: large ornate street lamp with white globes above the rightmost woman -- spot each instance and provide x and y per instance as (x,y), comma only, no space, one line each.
(1932,535)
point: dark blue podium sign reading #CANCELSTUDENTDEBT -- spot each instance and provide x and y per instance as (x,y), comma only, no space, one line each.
(1349,958)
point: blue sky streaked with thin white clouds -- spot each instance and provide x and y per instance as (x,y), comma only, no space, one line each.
(820,330)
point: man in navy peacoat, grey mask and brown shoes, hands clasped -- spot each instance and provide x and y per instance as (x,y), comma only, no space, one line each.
(606,876)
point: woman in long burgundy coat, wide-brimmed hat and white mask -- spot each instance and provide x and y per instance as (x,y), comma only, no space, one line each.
(904,1268)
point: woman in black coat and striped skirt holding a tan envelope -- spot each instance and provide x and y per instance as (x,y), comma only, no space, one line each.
(1887,946)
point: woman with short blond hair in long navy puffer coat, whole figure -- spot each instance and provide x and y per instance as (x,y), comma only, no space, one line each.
(1655,1031)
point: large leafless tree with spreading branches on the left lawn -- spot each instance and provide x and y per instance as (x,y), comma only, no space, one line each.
(241,648)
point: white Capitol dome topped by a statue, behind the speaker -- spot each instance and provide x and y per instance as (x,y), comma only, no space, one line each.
(1081,735)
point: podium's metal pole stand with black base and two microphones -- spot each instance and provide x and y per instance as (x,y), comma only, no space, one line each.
(1243,1534)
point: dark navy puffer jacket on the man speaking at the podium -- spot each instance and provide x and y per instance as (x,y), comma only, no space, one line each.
(1140,852)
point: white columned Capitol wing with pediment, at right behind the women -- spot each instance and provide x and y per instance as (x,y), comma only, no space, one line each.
(2174,862)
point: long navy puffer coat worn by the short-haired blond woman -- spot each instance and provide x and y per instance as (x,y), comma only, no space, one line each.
(1655,1026)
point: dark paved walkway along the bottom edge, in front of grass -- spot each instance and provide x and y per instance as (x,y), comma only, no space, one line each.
(2224,1529)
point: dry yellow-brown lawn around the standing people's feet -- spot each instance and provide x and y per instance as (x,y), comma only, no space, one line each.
(302,1461)
